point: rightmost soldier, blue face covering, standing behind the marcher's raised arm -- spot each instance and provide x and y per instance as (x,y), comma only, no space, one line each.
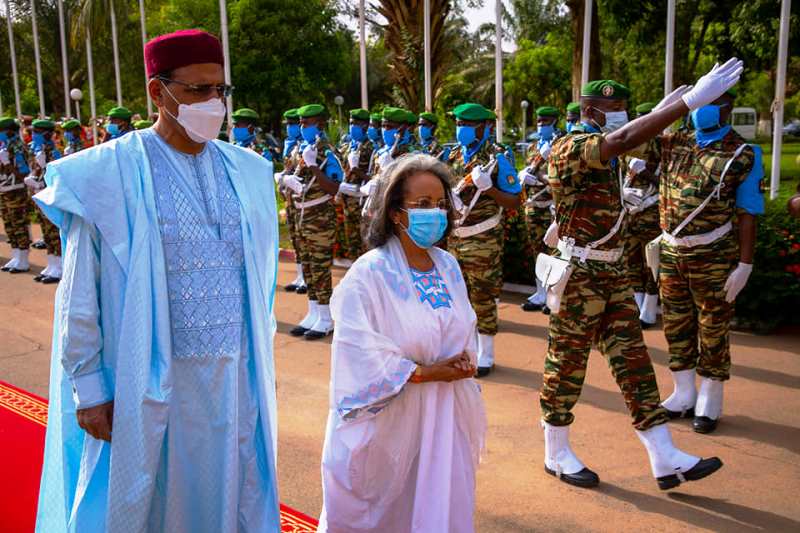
(705,265)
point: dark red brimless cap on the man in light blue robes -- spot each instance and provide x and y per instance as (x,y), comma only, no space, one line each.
(181,48)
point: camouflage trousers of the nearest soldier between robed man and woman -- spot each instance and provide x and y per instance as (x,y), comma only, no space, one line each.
(316,234)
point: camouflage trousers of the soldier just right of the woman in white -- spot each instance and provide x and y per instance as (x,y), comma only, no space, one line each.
(481,261)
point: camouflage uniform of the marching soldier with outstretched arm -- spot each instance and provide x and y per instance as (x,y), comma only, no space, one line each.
(597,304)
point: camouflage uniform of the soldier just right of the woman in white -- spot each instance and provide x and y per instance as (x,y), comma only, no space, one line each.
(480,256)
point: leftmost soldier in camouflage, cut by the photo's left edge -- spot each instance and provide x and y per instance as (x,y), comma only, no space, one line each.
(15,203)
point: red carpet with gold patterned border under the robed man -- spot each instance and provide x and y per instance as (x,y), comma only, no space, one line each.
(23,418)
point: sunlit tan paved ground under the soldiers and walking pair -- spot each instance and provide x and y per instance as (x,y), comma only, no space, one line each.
(759,438)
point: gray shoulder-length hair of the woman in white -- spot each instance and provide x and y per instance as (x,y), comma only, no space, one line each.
(389,193)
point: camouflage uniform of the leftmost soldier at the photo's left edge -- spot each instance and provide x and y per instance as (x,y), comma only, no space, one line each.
(15,204)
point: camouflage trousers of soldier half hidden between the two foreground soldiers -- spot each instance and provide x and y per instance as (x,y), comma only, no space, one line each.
(642,228)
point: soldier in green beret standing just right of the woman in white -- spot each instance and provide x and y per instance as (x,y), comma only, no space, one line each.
(488,184)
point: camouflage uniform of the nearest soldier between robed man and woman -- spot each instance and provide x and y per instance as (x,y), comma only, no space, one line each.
(316,229)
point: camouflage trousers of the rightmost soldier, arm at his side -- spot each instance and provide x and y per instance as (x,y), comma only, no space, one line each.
(696,315)
